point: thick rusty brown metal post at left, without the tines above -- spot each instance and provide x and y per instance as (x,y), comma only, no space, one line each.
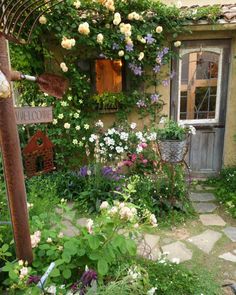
(13,169)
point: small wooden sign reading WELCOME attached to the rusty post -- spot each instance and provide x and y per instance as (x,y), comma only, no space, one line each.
(30,115)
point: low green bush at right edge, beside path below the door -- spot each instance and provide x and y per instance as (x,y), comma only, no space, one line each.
(225,188)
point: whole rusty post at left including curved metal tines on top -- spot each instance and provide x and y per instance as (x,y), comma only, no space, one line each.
(17,22)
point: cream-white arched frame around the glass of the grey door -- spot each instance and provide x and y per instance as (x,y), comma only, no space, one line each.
(196,49)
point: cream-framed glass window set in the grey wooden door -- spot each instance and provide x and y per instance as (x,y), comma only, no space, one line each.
(199,85)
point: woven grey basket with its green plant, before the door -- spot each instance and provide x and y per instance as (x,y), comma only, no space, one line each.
(172,141)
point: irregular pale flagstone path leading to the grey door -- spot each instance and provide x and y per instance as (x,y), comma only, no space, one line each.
(212,238)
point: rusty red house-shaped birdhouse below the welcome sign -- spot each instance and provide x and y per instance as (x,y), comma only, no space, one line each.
(38,155)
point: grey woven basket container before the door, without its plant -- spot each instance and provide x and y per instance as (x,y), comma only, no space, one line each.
(172,151)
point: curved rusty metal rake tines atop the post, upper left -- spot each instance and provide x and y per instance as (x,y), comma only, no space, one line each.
(16,15)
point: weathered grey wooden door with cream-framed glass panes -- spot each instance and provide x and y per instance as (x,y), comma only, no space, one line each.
(199,95)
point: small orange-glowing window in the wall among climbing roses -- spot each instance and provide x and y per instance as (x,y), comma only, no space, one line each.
(108,76)
